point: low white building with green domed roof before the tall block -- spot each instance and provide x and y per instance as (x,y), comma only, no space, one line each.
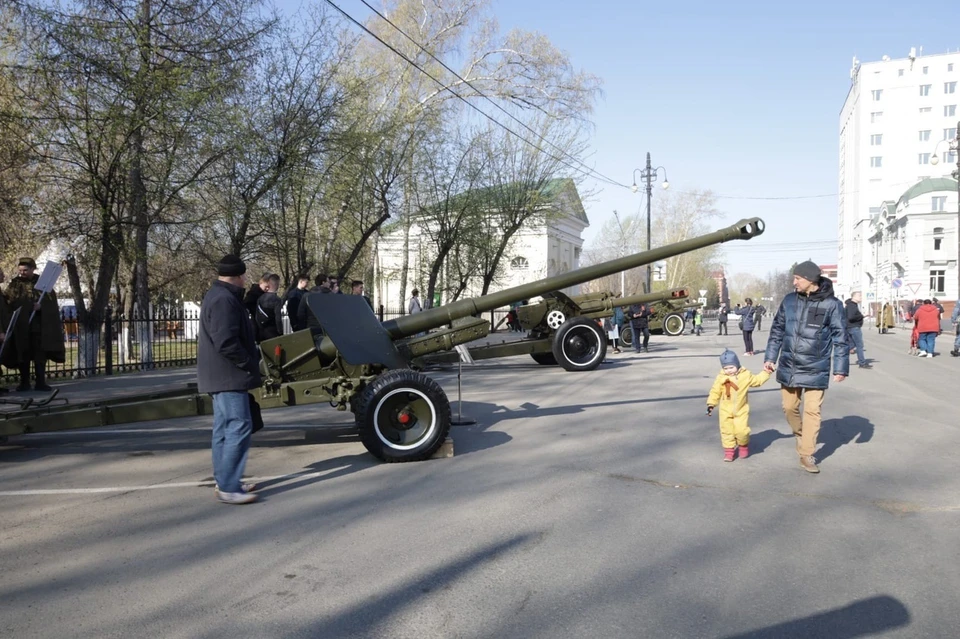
(908,249)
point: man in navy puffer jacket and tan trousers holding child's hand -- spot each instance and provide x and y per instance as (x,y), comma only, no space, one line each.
(810,325)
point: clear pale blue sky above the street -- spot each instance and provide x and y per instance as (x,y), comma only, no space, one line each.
(740,97)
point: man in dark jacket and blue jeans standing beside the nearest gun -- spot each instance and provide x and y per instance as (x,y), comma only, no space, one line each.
(228,367)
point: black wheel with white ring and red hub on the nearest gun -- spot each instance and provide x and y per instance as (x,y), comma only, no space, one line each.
(378,412)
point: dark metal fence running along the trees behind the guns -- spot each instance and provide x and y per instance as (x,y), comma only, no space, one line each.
(172,332)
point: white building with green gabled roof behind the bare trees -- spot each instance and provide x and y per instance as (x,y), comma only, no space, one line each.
(536,251)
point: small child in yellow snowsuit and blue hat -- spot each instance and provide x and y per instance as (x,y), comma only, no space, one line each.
(729,392)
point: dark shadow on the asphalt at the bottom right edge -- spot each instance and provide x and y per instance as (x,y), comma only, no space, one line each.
(859,619)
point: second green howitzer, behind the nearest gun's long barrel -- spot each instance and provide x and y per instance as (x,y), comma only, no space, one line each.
(549,340)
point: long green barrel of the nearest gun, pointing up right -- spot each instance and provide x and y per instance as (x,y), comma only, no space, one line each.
(437,317)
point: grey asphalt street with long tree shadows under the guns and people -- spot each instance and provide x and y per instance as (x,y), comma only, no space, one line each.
(580,505)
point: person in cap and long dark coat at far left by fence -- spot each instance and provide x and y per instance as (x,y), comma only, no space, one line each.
(36,341)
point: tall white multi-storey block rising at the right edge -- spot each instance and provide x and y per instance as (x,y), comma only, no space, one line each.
(897,115)
